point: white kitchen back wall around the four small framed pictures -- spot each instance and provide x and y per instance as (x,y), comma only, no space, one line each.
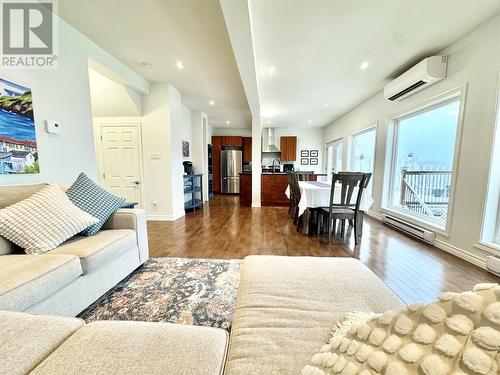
(307,139)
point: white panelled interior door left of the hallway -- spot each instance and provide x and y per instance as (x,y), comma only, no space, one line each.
(121,162)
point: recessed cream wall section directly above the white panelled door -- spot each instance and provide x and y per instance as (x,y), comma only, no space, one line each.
(112,99)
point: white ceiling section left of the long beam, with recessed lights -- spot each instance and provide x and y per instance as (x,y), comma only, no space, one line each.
(161,33)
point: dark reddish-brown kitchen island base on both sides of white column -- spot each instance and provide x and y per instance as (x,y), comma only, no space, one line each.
(272,189)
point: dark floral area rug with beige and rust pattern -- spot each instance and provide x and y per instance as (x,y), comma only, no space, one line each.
(175,290)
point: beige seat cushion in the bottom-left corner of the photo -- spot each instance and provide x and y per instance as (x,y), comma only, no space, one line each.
(26,340)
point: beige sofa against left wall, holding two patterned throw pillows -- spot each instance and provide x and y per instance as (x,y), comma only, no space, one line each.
(66,280)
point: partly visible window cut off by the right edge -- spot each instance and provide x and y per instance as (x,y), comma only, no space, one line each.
(491,223)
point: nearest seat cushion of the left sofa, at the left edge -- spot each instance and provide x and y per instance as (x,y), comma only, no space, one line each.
(27,279)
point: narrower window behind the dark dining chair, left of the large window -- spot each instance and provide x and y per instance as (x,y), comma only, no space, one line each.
(363,152)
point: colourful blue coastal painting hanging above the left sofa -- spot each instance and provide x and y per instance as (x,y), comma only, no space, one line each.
(18,147)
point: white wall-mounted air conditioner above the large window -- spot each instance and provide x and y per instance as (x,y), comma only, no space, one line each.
(425,73)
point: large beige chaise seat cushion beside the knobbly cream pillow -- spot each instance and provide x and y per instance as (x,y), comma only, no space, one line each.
(287,305)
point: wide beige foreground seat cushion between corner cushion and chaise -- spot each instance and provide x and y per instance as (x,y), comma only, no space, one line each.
(113,347)
